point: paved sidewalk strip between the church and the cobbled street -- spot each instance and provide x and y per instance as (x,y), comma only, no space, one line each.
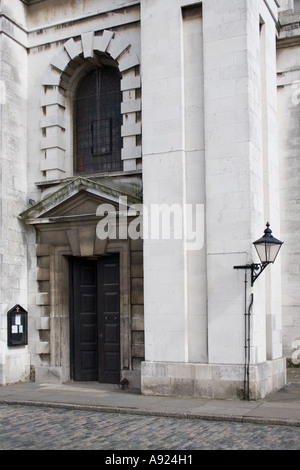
(281,407)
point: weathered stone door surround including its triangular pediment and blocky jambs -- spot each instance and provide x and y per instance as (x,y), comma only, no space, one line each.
(66,222)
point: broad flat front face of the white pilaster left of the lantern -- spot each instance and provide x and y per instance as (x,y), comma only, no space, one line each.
(228,147)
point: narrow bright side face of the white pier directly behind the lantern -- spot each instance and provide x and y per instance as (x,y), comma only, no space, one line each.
(271,171)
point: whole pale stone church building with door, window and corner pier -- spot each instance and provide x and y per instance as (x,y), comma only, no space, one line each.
(145,144)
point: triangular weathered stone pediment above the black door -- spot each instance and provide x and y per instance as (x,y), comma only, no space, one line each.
(79,198)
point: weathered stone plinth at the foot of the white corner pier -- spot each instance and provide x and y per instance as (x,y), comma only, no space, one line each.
(209,380)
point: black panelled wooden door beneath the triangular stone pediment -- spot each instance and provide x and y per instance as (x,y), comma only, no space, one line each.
(95,319)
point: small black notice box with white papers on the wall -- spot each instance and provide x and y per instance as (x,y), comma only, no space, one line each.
(17,326)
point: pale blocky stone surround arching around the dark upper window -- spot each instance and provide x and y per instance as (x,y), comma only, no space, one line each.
(56,81)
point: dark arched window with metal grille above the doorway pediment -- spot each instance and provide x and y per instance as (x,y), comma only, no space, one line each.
(98,123)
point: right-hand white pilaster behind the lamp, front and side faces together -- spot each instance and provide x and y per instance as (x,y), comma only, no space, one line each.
(242,178)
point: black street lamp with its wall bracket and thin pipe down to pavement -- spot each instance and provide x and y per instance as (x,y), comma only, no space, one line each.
(267,248)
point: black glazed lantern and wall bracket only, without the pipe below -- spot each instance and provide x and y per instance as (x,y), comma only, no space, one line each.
(267,248)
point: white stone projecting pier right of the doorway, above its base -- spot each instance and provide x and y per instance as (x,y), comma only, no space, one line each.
(233,152)
